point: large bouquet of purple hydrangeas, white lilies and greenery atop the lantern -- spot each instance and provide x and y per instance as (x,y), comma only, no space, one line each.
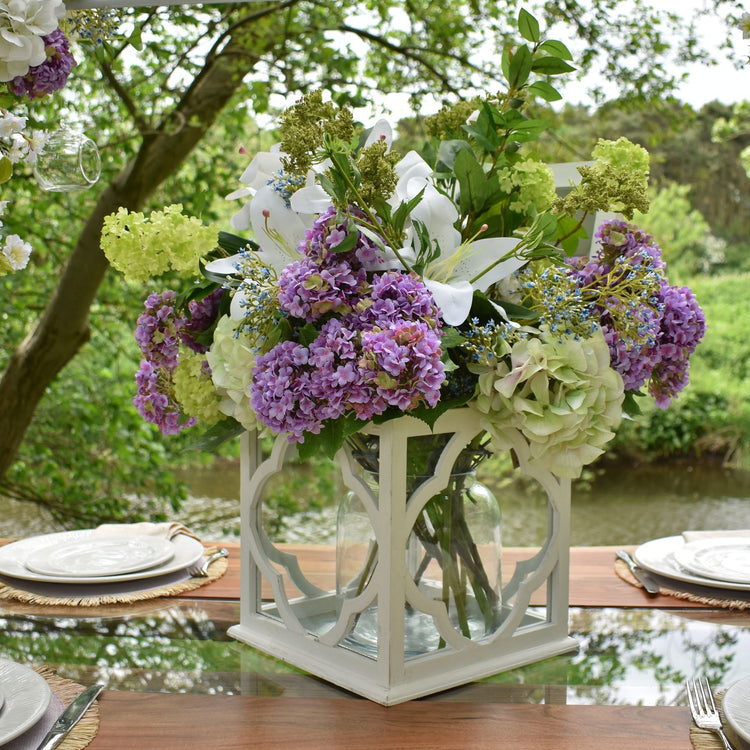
(376,284)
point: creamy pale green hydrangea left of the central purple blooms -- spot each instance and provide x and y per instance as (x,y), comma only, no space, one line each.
(231,359)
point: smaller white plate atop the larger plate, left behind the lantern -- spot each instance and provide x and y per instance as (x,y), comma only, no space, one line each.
(100,556)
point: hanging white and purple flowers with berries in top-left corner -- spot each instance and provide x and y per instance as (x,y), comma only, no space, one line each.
(35,36)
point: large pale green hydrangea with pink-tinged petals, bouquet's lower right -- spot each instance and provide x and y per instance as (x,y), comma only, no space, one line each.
(561,394)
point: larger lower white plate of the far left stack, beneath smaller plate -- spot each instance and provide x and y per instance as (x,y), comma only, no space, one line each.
(13,556)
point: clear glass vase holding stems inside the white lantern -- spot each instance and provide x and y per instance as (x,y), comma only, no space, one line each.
(452,552)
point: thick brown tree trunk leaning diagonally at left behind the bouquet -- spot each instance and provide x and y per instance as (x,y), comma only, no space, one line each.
(64,325)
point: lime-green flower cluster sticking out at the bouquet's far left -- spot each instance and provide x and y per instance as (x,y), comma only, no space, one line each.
(141,247)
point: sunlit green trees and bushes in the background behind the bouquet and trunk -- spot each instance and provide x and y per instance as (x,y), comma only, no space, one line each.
(88,456)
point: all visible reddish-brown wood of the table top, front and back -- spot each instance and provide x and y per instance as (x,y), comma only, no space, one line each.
(473,718)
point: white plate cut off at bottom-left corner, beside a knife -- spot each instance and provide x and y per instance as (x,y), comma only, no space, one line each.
(27,696)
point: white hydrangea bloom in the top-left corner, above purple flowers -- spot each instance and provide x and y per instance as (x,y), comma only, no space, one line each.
(23,23)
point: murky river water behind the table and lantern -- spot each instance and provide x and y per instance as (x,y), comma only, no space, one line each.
(619,505)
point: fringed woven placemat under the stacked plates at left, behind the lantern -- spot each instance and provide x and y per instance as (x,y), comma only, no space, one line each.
(175,587)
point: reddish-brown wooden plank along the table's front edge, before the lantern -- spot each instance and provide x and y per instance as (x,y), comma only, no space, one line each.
(161,721)
